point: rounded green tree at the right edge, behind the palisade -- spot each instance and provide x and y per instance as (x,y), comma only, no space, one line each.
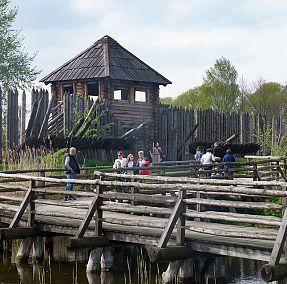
(268,99)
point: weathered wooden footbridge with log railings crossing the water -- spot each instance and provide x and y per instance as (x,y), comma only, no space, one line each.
(174,217)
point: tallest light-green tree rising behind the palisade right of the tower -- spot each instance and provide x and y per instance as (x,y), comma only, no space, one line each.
(220,85)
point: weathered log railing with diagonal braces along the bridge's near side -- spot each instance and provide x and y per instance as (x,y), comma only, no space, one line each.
(180,187)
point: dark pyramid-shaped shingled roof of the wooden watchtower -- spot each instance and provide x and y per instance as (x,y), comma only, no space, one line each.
(106,59)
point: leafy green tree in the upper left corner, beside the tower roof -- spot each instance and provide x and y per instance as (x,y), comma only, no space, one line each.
(15,63)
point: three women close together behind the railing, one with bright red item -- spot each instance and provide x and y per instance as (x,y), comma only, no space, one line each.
(129,162)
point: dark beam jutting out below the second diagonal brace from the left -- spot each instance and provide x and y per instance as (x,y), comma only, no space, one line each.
(87,242)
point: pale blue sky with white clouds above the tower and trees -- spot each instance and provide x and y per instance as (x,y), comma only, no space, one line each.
(180,39)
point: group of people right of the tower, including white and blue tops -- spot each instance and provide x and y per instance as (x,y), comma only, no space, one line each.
(214,155)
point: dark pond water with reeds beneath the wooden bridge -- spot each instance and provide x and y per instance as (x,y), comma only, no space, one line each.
(59,270)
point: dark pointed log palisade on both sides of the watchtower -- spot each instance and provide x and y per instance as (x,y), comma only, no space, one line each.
(178,127)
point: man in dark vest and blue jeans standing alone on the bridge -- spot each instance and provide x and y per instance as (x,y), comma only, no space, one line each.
(72,169)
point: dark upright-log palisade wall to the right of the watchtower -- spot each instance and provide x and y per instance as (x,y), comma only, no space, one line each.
(176,124)
